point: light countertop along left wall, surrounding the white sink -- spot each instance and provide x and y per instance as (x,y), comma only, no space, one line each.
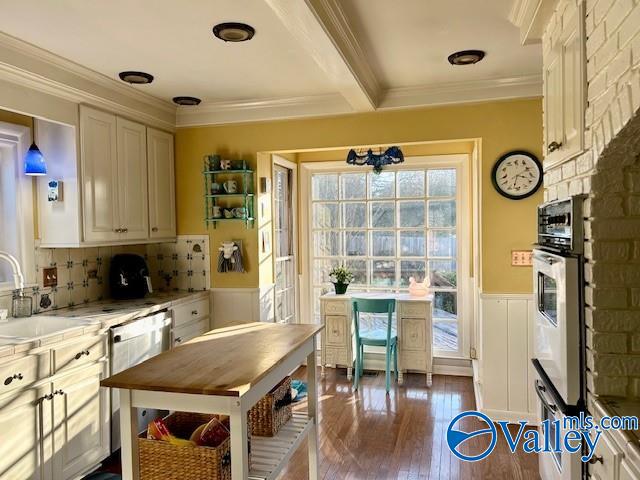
(100,315)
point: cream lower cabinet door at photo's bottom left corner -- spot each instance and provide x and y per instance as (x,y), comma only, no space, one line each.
(25,422)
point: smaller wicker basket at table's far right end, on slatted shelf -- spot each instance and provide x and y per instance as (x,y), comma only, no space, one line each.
(272,411)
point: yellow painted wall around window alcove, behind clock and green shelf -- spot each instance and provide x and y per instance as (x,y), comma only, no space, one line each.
(502,126)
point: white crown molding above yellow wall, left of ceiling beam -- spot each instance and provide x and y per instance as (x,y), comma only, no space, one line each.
(217,113)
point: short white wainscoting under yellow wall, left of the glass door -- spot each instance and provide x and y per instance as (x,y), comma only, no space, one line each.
(233,306)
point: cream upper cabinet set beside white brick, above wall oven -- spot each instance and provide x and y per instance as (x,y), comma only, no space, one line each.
(565,89)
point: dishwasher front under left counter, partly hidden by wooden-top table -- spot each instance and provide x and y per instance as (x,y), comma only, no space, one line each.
(130,344)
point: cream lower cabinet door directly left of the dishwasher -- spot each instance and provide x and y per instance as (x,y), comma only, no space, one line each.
(81,421)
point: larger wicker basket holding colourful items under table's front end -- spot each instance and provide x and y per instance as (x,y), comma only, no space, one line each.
(162,460)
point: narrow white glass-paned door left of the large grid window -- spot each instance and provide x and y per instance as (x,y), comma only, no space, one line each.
(285,238)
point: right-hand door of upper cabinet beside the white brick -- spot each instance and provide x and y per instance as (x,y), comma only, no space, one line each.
(571,47)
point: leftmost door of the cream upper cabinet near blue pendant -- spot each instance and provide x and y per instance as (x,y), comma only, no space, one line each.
(99,175)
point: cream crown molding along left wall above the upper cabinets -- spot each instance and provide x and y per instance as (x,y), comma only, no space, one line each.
(40,69)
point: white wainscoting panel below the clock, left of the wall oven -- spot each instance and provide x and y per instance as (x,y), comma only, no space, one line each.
(503,374)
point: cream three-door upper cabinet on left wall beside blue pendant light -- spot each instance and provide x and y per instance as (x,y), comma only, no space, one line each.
(121,189)
